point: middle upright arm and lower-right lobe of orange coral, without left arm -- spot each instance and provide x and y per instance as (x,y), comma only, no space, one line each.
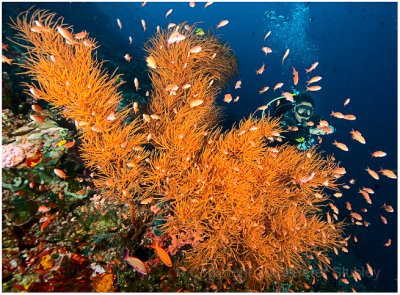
(247,211)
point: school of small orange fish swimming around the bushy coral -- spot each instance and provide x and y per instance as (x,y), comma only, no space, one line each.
(355,217)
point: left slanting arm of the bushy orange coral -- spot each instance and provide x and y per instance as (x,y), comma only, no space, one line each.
(71,78)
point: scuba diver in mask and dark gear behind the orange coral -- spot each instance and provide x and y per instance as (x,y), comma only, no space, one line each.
(299,119)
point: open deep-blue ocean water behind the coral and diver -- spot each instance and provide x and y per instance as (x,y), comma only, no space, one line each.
(356,47)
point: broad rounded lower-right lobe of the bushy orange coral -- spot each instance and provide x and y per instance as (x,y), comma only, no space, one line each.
(254,218)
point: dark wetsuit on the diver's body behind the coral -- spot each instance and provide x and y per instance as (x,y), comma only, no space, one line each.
(302,137)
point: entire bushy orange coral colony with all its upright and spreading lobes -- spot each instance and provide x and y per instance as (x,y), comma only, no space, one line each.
(249,212)
